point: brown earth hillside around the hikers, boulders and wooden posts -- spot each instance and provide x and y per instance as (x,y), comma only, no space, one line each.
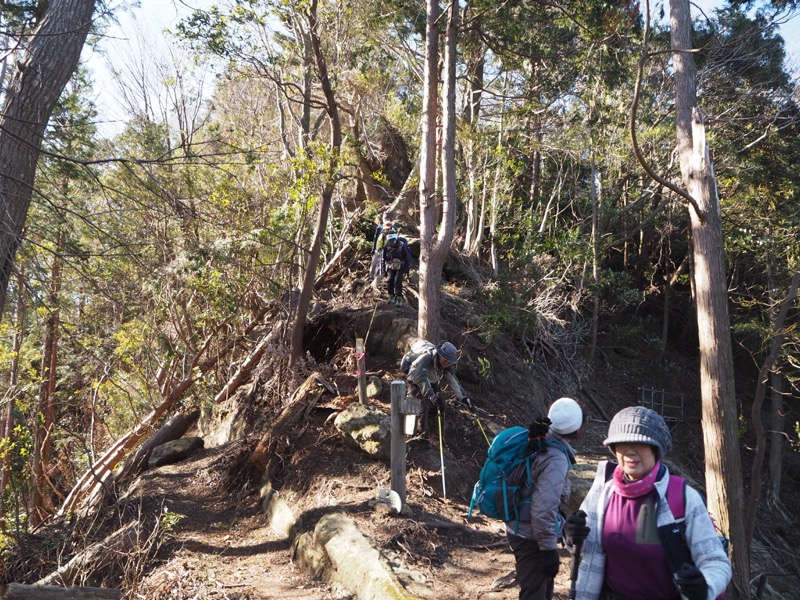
(220,543)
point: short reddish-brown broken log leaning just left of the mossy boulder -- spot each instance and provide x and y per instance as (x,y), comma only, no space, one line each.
(269,453)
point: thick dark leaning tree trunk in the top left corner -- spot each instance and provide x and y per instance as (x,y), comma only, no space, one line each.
(43,69)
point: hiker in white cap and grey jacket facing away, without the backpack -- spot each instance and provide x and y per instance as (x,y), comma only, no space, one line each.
(533,536)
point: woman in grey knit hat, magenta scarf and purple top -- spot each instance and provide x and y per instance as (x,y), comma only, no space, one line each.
(630,523)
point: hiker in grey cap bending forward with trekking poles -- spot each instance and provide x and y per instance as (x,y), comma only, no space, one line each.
(426,364)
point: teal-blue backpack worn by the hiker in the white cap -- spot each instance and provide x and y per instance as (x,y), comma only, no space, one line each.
(497,493)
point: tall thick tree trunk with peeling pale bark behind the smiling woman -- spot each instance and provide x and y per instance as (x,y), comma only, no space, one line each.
(720,422)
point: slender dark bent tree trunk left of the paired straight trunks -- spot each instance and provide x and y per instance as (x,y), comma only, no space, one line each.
(331,107)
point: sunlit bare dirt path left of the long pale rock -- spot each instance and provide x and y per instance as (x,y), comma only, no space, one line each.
(221,546)
